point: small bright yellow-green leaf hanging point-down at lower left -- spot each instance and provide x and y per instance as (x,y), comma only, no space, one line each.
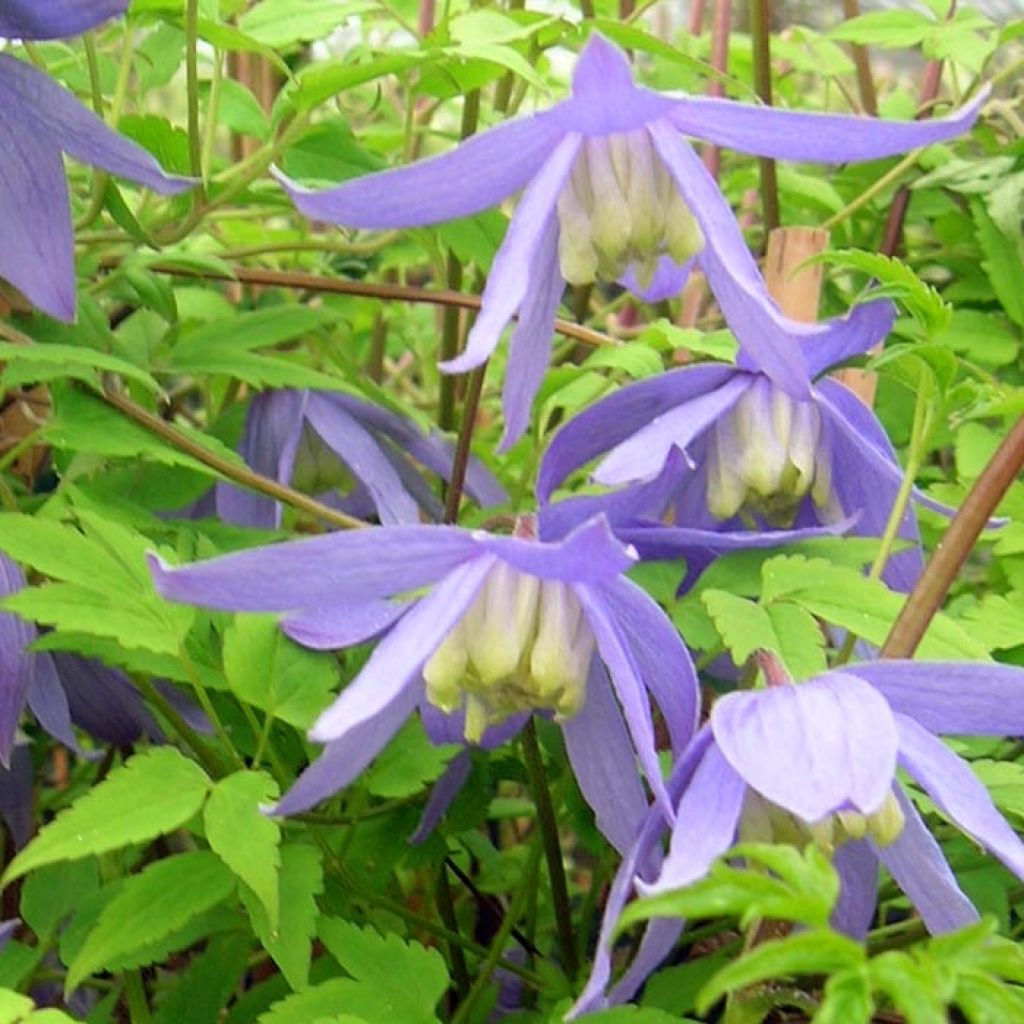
(233,814)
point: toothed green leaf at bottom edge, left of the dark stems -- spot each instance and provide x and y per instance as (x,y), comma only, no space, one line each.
(414,977)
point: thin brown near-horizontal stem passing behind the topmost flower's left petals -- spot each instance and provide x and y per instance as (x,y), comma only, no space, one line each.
(364,289)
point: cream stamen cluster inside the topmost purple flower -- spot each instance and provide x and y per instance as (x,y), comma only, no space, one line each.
(620,209)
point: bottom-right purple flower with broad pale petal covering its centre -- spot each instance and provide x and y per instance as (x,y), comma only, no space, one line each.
(817,763)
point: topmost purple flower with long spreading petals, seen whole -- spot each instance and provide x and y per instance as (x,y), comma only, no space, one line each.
(613,191)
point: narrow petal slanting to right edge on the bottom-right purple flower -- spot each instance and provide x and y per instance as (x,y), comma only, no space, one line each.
(958,792)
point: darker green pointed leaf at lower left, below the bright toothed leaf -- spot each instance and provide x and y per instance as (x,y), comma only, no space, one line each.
(165,897)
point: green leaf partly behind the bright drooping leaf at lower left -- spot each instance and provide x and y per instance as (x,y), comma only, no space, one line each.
(291,943)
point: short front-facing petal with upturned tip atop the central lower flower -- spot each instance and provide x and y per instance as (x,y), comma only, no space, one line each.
(590,554)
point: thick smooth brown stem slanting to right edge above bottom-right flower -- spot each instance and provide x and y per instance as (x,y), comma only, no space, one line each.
(931,589)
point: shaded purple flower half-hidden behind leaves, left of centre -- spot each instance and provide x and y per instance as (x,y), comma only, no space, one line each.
(323,441)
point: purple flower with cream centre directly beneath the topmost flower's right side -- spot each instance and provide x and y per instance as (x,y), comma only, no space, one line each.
(754,458)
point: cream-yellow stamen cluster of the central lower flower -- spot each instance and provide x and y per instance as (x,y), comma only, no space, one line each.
(524,645)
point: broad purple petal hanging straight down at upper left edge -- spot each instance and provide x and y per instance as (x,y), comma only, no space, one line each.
(36,243)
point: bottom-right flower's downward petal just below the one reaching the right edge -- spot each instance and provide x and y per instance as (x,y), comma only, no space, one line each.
(917,865)
